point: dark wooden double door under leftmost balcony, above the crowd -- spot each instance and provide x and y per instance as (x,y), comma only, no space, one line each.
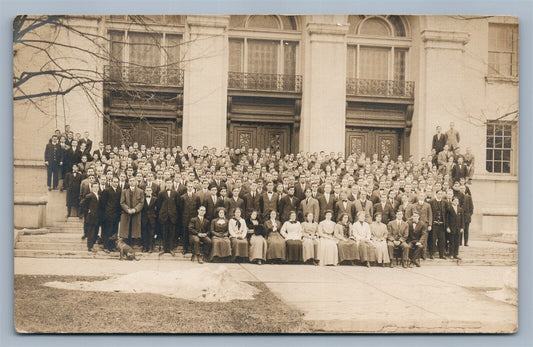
(148,131)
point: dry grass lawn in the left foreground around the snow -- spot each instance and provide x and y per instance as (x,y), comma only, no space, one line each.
(40,309)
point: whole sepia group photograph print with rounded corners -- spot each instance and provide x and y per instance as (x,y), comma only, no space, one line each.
(265,174)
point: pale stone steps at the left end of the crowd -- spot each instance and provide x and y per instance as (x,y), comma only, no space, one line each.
(63,240)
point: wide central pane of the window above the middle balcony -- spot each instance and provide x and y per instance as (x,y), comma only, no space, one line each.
(262,56)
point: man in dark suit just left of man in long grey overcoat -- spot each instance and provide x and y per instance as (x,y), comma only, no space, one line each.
(111,203)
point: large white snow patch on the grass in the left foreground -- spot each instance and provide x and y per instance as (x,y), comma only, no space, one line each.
(194,284)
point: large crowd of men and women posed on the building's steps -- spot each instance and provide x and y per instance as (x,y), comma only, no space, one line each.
(259,205)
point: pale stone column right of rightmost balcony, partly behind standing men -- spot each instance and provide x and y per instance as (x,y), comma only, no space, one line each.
(439,96)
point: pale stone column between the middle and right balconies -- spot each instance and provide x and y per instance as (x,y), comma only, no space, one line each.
(324,90)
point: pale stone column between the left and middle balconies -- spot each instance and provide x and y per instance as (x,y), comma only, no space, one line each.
(206,88)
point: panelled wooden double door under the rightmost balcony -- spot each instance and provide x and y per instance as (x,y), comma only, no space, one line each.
(373,140)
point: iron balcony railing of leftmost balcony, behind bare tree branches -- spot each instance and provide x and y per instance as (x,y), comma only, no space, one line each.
(164,76)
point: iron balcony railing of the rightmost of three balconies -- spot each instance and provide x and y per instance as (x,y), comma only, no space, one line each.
(385,88)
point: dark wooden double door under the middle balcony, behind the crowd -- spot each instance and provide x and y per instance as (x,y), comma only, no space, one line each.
(262,136)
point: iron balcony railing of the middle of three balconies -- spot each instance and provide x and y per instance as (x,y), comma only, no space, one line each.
(264,82)
